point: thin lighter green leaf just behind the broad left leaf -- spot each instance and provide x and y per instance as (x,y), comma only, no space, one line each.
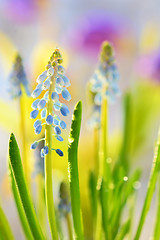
(19,206)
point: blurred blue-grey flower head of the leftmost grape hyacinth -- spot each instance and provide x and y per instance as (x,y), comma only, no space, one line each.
(18,79)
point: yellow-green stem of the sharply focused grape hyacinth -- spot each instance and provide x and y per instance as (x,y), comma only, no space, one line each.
(48,165)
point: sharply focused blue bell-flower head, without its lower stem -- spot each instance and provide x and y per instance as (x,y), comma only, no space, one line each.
(50,84)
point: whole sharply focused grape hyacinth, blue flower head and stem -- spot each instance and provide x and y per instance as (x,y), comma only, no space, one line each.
(50,84)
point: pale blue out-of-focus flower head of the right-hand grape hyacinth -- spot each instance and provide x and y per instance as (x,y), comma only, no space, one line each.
(104,83)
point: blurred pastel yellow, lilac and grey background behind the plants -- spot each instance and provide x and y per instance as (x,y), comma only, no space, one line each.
(33,28)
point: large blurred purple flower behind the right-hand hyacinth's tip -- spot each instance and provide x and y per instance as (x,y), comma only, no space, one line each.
(95,28)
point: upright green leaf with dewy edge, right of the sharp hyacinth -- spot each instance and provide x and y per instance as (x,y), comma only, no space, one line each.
(73,170)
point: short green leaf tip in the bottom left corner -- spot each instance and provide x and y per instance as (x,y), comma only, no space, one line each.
(5,229)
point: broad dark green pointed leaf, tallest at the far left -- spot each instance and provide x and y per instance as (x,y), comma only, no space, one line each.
(17,170)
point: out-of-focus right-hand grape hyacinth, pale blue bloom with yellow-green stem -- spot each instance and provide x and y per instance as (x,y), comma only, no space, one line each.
(103,87)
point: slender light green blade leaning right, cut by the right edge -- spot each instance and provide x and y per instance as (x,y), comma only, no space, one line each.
(150,190)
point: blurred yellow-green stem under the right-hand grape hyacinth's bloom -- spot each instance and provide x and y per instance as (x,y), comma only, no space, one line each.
(104,172)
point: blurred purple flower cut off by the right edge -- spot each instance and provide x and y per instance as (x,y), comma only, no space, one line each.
(148,66)
